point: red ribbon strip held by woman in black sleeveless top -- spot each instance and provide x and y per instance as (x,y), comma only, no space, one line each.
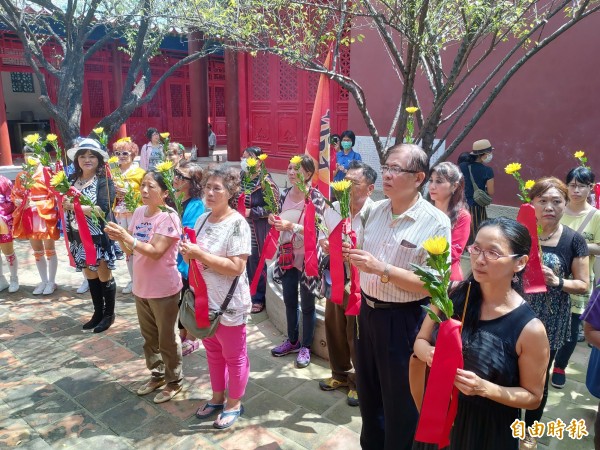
(441,397)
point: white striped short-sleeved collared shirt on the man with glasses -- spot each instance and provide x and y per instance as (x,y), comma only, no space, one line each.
(399,242)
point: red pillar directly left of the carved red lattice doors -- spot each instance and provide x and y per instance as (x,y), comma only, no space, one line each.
(232,101)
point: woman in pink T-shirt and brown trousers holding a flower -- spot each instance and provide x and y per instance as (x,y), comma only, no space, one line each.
(152,238)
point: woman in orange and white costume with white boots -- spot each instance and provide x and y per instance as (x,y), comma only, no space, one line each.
(35,217)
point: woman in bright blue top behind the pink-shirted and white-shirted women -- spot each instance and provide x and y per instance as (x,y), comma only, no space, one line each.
(188,183)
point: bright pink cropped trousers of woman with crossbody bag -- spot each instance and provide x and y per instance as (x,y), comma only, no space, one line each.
(228,361)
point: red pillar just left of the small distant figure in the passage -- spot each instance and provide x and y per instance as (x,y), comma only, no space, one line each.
(198,71)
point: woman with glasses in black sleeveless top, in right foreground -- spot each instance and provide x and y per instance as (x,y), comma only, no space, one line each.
(505,348)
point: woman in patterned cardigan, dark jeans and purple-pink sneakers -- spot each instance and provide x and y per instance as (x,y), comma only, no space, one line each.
(290,267)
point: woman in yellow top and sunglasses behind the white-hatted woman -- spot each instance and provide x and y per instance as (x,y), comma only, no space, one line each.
(132,176)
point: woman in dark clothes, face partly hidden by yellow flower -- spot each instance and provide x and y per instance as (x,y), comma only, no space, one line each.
(257,215)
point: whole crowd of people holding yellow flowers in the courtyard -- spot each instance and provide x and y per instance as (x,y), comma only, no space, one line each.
(511,339)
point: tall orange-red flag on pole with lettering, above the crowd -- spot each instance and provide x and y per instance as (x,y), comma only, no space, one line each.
(317,143)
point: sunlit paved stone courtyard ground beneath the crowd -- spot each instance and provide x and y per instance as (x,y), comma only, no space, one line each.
(63,388)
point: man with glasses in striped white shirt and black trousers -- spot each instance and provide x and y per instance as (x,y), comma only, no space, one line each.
(392,296)
